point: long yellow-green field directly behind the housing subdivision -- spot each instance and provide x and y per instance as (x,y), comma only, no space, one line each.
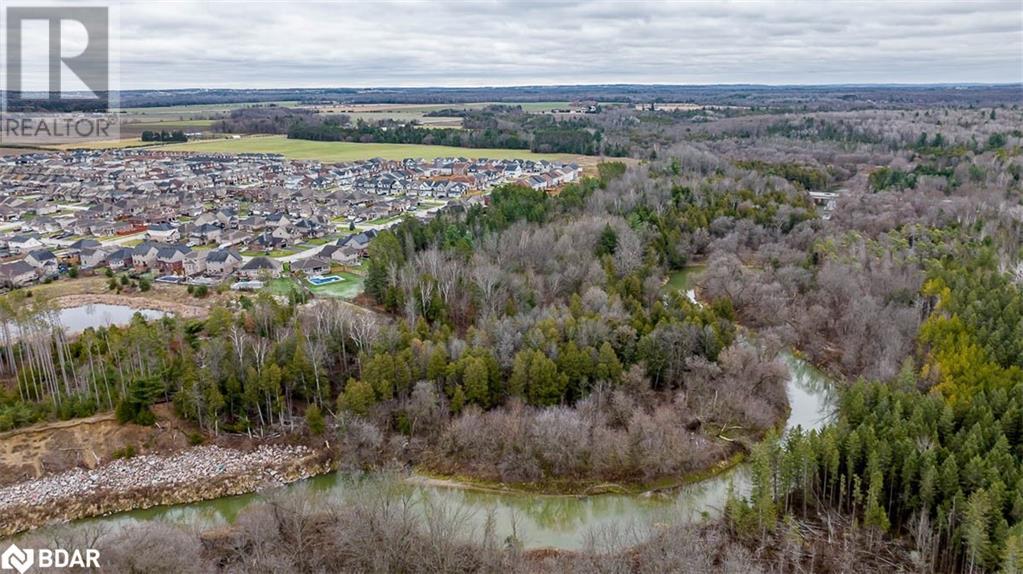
(347,152)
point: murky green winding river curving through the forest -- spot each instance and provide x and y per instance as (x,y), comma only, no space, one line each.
(537,520)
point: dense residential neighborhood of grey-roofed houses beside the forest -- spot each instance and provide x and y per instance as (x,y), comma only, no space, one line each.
(210,217)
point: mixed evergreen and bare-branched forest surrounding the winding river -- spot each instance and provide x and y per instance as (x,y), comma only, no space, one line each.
(535,341)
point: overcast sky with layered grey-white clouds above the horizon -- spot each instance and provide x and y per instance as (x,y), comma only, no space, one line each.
(182,45)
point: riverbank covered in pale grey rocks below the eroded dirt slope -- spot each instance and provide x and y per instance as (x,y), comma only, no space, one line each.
(197,474)
